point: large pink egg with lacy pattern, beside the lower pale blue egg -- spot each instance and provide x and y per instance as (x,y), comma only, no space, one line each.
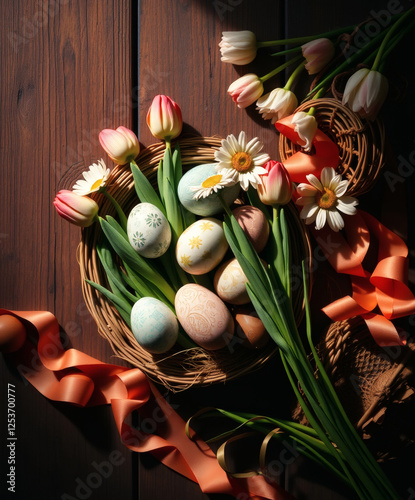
(204,316)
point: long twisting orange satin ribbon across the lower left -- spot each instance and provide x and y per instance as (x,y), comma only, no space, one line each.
(74,377)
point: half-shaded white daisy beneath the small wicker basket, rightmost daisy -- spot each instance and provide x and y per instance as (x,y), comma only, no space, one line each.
(323,199)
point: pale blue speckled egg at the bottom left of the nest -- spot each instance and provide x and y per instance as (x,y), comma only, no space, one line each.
(154,325)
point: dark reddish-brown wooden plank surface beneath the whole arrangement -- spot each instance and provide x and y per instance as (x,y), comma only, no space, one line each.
(70,68)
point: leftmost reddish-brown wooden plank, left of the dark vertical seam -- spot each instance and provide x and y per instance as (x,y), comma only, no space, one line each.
(65,66)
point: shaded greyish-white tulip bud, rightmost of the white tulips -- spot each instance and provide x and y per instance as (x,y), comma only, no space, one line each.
(365,92)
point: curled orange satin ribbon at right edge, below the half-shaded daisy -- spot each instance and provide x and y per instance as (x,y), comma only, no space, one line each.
(384,288)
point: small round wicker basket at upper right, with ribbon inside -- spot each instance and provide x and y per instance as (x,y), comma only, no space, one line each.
(360,142)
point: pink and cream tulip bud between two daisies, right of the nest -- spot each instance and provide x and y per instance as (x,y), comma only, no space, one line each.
(276,187)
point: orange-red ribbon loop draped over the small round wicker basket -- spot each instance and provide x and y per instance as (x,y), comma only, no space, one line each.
(300,164)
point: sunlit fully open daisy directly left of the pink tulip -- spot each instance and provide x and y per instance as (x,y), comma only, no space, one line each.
(241,160)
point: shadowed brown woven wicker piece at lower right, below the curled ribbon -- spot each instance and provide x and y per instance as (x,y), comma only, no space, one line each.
(375,385)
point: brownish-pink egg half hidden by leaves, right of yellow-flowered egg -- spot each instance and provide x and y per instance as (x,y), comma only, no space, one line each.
(255,225)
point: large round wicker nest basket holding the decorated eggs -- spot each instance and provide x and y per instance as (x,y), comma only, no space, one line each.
(178,369)
